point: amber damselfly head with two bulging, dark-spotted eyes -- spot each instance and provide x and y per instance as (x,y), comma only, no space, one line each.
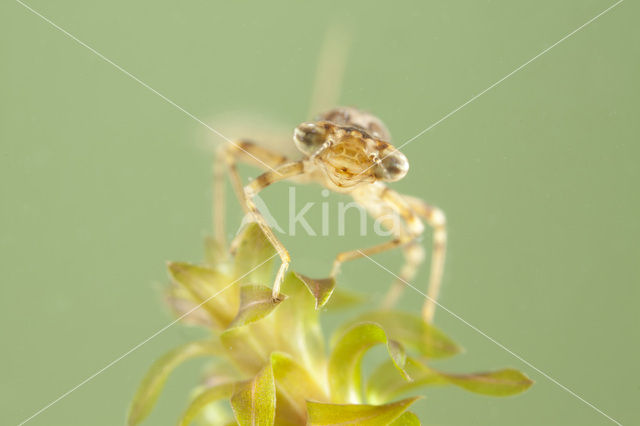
(350,147)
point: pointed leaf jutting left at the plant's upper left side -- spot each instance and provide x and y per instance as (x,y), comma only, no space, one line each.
(207,287)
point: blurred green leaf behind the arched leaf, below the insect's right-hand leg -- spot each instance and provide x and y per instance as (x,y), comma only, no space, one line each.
(411,330)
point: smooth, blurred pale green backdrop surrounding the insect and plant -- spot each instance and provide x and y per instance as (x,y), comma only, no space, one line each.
(102,181)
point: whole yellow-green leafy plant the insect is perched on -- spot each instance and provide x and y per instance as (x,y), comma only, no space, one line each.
(269,357)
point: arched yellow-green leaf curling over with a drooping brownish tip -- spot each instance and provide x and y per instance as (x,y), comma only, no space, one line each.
(344,363)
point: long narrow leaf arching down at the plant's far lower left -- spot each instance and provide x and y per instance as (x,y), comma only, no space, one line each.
(154,380)
